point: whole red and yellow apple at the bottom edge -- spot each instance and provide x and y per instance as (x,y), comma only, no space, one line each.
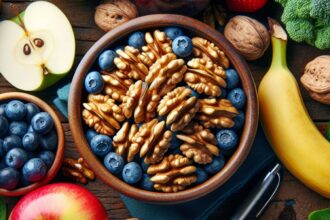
(59,201)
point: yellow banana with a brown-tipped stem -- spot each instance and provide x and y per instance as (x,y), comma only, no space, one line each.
(293,136)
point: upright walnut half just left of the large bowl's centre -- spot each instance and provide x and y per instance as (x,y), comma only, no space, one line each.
(142,101)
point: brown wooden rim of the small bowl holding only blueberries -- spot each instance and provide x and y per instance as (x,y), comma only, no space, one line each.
(60,147)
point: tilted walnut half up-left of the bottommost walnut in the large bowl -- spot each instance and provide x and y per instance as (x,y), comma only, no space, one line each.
(152,140)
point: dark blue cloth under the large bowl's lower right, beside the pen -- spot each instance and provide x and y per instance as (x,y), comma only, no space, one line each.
(258,159)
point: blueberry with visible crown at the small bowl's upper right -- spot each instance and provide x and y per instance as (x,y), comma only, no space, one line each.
(42,123)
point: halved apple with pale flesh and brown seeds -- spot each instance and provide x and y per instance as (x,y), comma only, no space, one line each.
(38,49)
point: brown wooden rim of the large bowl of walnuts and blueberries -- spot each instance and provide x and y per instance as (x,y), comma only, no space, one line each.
(195,28)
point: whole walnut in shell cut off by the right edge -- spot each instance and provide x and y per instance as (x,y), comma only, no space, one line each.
(316,79)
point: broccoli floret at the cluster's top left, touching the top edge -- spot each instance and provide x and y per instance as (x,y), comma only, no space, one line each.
(296,9)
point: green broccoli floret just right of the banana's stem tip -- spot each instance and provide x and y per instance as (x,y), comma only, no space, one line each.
(301,30)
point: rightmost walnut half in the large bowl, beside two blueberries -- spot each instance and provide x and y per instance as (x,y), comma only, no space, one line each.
(216,113)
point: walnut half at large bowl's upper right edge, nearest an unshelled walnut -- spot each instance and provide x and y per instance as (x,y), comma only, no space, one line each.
(206,50)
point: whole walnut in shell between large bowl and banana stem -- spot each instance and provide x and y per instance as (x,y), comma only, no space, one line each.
(249,37)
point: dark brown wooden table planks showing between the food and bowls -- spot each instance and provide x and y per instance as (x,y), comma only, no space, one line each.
(81,16)
